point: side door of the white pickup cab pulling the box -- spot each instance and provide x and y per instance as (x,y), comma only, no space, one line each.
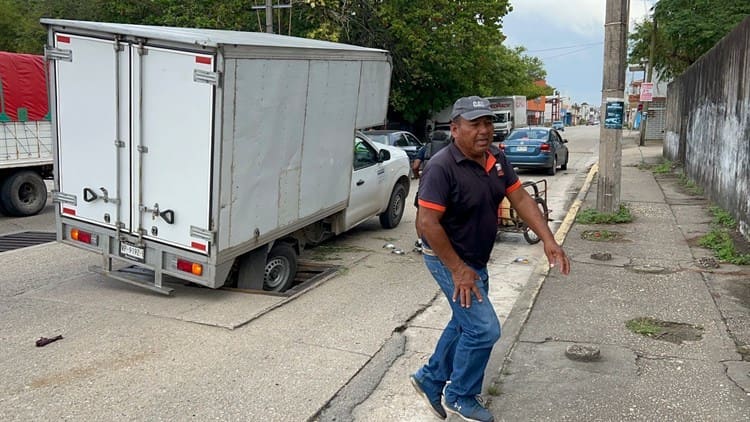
(367,181)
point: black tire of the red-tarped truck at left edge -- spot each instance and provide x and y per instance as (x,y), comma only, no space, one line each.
(23,194)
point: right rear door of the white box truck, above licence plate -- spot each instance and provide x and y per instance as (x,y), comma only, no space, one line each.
(173,95)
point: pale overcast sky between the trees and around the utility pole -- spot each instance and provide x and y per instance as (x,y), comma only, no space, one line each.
(568,36)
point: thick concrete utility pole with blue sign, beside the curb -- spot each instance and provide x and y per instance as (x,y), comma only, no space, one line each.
(613,91)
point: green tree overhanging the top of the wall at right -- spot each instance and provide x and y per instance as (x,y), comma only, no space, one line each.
(685,30)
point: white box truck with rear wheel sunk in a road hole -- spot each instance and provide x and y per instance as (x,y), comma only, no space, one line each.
(213,156)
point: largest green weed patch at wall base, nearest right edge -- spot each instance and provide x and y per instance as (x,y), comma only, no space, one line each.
(724,240)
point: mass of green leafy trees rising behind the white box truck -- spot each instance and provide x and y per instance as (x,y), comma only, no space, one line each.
(441,49)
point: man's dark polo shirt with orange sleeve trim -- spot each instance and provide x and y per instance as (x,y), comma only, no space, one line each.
(469,196)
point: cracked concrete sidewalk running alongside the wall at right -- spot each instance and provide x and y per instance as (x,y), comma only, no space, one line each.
(695,372)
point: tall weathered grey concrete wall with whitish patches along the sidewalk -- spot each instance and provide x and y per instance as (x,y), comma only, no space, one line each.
(708,123)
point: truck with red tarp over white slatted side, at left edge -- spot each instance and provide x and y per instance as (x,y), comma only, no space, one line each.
(25,135)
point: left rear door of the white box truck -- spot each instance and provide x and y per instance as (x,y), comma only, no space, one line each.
(92,109)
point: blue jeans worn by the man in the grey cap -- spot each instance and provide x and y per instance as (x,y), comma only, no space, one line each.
(462,353)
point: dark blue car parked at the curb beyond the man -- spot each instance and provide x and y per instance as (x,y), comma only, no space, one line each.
(536,147)
